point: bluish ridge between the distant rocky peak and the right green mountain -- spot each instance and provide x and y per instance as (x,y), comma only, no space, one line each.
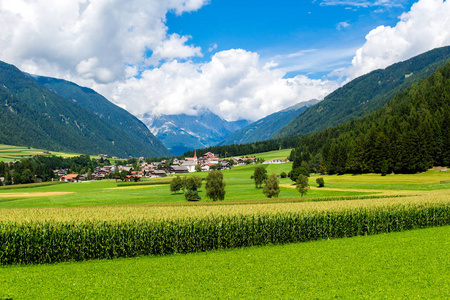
(267,127)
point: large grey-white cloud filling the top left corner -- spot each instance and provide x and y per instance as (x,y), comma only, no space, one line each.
(92,40)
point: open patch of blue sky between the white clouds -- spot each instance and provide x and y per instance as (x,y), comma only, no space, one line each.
(330,30)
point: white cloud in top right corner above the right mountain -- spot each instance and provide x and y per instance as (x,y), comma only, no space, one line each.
(426,26)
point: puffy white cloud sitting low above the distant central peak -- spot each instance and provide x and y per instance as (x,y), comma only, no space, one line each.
(234,85)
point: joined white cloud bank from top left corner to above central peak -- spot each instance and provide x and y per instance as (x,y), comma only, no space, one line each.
(123,50)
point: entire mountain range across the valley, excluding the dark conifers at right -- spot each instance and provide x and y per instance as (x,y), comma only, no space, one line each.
(59,115)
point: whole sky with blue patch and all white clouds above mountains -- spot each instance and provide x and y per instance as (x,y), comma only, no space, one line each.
(240,59)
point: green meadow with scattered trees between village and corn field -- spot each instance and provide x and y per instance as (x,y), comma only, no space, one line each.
(239,187)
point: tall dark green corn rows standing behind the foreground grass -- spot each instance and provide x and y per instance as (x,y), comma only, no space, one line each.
(52,240)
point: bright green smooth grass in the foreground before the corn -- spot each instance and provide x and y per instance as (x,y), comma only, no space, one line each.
(405,265)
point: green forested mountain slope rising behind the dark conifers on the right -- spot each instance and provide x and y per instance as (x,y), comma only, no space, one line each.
(365,94)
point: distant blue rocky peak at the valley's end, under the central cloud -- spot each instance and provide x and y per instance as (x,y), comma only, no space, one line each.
(181,133)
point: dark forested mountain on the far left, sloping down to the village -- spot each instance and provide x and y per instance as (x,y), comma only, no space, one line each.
(33,115)
